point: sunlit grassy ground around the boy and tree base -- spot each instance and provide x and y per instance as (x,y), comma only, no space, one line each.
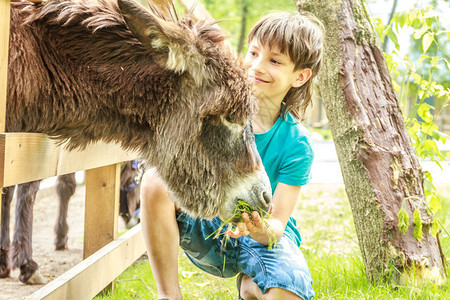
(329,245)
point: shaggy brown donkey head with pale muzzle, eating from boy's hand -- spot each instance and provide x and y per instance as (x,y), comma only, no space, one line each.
(204,145)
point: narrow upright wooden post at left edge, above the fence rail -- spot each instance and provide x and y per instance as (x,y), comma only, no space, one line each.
(4,47)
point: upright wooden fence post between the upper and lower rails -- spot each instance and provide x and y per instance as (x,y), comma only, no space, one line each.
(101,208)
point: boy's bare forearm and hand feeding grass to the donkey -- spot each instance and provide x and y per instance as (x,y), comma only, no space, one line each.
(284,201)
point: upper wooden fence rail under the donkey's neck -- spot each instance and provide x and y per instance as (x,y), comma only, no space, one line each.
(32,156)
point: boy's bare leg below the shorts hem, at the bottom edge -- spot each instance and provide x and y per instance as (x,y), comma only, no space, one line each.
(250,291)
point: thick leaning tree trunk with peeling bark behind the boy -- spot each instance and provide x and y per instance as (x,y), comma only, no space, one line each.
(378,163)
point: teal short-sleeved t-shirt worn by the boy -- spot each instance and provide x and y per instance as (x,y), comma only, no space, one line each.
(287,157)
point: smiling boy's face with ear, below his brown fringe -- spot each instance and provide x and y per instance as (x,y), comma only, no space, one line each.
(271,72)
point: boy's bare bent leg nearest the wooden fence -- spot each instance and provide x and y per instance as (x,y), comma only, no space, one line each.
(161,235)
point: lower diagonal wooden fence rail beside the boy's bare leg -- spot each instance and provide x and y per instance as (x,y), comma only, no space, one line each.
(88,278)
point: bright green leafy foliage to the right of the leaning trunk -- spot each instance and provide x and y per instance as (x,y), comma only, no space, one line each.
(415,80)
